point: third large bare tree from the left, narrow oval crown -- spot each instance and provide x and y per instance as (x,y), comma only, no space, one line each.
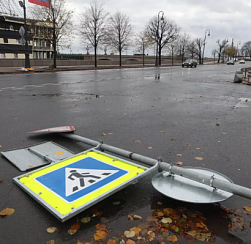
(119,32)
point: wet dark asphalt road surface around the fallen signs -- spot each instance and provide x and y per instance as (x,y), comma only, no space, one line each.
(195,112)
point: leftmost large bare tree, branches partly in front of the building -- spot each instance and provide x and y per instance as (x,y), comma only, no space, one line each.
(55,23)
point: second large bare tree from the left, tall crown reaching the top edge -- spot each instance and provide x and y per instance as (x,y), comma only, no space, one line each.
(93,25)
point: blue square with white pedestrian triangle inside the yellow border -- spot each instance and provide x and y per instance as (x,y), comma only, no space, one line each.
(80,178)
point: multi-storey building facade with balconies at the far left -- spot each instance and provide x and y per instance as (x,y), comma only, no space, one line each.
(11,47)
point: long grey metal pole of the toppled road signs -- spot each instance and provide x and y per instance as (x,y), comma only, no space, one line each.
(172,169)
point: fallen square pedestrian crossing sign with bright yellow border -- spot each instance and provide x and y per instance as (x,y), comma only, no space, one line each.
(75,184)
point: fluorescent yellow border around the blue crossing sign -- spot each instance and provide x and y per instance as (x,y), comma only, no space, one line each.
(60,205)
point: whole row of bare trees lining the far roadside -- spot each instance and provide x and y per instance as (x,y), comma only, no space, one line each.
(101,30)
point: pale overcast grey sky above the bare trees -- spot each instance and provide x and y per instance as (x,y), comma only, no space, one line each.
(224,18)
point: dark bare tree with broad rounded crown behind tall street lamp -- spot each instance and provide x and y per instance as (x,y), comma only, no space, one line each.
(163,32)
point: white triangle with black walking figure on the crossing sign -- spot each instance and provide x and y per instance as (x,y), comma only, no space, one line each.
(79,179)
